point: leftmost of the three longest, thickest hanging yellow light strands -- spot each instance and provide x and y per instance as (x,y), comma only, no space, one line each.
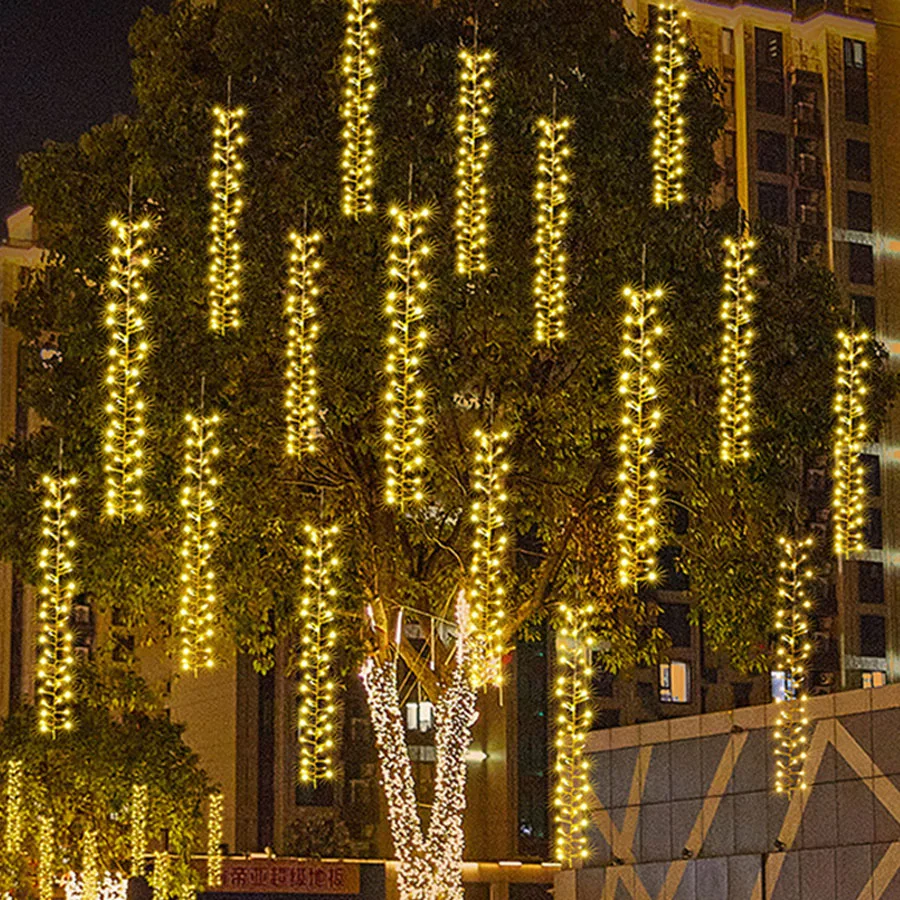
(124,438)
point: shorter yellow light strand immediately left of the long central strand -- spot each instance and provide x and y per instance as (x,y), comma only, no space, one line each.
(301,393)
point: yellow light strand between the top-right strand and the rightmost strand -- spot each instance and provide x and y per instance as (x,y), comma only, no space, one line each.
(737,336)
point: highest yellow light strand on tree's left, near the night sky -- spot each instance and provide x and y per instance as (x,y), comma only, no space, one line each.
(224,248)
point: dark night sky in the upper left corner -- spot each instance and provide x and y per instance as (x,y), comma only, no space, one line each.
(64,66)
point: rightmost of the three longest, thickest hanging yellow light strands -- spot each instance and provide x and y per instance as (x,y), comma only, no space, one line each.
(638,478)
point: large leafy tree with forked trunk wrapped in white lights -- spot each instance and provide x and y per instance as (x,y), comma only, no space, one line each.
(480,365)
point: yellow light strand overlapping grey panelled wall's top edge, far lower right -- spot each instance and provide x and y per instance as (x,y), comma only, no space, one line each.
(792,628)
